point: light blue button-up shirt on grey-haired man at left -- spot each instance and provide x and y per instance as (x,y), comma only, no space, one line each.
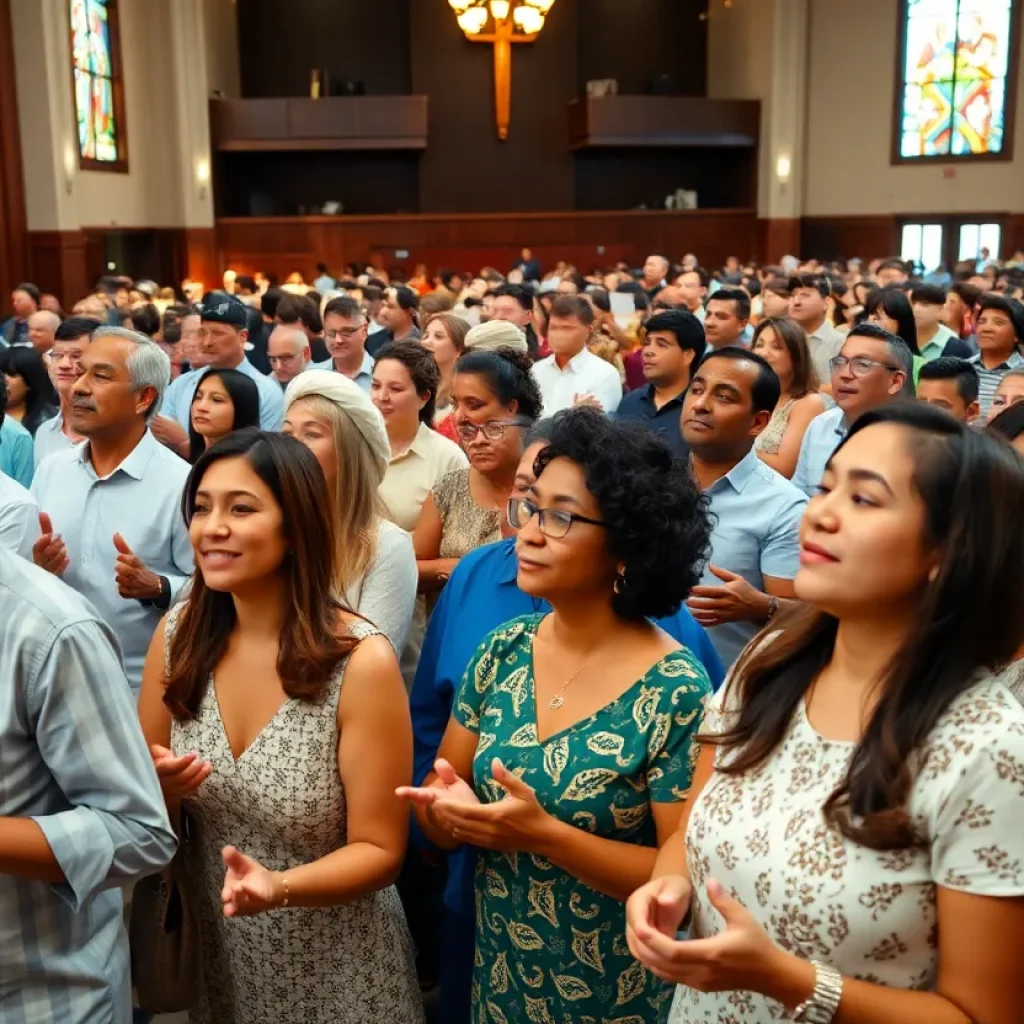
(141,500)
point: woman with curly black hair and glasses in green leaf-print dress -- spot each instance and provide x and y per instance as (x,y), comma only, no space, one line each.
(569,754)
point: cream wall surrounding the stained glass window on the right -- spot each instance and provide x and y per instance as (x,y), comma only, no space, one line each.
(849,127)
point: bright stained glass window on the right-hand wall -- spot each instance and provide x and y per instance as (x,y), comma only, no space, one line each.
(956,63)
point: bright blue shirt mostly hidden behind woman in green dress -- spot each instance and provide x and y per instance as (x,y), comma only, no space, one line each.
(482,595)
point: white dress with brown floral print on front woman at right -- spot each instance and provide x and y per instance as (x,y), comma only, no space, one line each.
(872,915)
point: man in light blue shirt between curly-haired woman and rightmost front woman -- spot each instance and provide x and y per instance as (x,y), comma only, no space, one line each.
(756,545)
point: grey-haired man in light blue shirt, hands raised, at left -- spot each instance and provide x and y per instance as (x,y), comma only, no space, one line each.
(111,523)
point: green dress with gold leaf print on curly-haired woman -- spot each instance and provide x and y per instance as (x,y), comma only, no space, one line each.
(549,949)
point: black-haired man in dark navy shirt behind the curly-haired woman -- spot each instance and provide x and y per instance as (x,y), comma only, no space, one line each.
(674,346)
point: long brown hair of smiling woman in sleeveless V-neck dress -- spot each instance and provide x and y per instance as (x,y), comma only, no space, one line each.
(313,642)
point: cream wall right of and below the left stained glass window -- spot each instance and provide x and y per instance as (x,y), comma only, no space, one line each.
(150,196)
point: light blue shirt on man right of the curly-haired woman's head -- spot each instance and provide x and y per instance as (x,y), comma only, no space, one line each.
(756,514)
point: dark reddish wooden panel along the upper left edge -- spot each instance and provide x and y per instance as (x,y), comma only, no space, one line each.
(14,243)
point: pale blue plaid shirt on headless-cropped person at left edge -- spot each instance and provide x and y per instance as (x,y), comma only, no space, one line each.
(73,760)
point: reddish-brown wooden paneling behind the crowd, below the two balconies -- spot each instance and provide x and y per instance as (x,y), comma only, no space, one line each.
(283,245)
